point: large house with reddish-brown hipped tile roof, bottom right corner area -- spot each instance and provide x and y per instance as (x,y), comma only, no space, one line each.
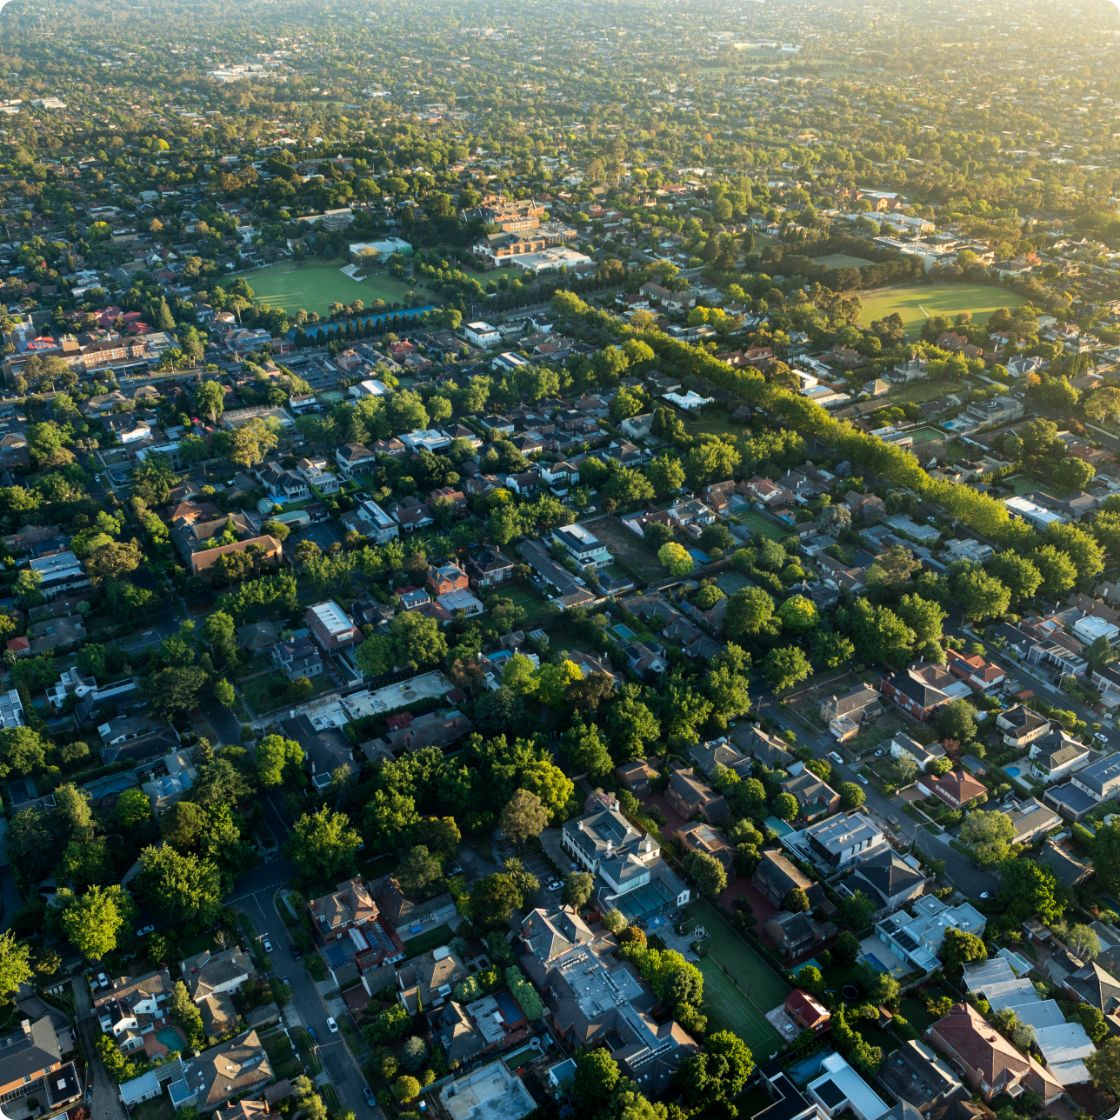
(988,1062)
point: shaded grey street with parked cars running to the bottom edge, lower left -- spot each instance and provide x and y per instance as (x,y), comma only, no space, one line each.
(258,899)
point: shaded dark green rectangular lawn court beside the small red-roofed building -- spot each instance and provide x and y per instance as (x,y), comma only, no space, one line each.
(740,987)
